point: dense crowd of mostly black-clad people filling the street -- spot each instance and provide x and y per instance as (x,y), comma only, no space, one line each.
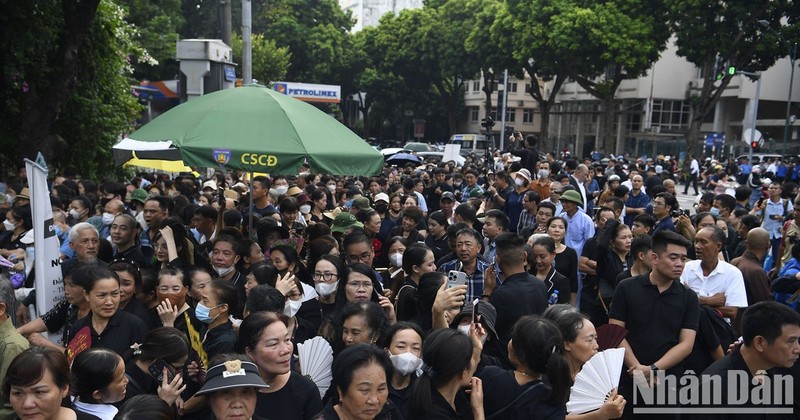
(476,292)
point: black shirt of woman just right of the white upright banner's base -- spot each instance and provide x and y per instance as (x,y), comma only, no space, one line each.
(122,331)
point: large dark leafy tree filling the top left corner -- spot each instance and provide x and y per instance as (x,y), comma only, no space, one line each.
(71,116)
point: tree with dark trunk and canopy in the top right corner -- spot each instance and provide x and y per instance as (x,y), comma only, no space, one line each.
(728,30)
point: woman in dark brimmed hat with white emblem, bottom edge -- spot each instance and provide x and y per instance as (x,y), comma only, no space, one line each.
(232,385)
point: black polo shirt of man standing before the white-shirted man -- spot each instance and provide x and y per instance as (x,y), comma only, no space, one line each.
(654,320)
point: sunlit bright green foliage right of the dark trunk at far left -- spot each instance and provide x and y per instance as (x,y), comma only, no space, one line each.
(101,106)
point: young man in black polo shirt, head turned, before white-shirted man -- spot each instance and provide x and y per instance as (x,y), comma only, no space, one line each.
(660,314)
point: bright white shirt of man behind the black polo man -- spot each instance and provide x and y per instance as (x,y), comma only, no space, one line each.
(725,279)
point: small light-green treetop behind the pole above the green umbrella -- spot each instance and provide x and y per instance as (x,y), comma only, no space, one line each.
(270,63)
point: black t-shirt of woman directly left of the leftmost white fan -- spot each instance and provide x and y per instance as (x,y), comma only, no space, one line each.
(298,400)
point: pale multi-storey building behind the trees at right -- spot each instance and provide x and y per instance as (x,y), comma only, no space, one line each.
(654,111)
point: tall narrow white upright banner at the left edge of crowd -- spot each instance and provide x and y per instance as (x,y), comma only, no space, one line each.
(49,285)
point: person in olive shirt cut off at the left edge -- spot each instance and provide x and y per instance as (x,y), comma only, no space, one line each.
(12,343)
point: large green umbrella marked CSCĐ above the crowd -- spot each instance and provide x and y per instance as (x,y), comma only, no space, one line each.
(254,129)
